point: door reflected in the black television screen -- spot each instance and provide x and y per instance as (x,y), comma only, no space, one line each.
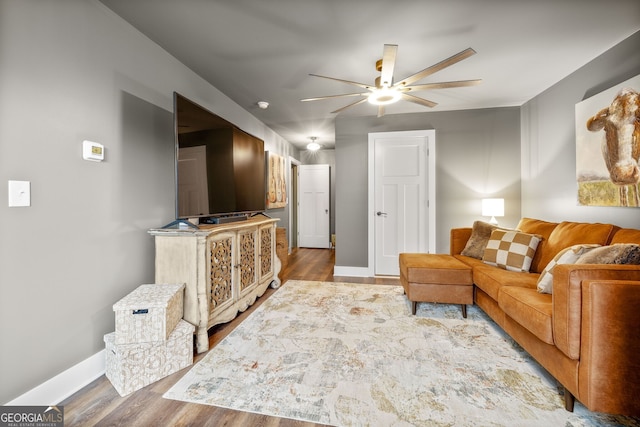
(192,180)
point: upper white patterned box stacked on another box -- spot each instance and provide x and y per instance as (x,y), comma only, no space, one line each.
(148,314)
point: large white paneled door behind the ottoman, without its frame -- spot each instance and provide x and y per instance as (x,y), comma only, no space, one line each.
(400,197)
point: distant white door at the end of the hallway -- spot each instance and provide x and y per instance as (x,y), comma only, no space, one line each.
(313,206)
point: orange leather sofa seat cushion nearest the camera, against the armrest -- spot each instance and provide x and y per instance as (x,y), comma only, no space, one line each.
(531,309)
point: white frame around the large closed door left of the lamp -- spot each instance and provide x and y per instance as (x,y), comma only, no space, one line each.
(430,134)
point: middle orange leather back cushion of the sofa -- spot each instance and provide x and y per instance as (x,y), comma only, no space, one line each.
(567,234)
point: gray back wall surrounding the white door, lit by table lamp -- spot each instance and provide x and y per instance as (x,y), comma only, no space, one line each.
(477,156)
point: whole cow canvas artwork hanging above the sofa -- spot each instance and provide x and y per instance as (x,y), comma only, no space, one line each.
(608,146)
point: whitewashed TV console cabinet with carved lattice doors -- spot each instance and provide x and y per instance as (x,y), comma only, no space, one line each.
(224,268)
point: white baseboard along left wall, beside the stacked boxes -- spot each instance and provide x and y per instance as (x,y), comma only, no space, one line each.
(63,385)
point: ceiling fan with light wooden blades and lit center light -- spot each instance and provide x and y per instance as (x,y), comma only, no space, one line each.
(385,91)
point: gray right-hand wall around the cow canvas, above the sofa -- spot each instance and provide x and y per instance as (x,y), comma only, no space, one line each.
(549,189)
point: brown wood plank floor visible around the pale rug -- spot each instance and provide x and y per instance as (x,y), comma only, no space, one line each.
(98,404)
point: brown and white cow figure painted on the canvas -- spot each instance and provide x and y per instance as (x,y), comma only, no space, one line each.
(621,143)
